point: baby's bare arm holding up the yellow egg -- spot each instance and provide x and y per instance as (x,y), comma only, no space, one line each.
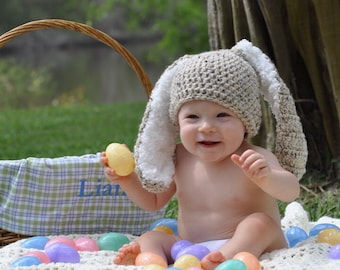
(135,191)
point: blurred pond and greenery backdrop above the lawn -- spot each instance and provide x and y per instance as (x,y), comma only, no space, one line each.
(57,67)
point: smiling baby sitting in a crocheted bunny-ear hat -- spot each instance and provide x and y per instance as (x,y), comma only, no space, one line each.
(227,188)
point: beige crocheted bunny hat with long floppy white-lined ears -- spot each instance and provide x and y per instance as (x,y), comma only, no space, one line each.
(235,79)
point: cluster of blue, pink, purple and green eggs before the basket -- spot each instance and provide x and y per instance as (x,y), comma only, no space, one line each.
(65,250)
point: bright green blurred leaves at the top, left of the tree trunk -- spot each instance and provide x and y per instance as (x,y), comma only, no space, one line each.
(181,24)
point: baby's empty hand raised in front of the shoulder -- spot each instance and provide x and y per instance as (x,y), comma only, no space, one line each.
(253,165)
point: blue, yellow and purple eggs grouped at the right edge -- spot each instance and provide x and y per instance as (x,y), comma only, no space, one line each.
(324,233)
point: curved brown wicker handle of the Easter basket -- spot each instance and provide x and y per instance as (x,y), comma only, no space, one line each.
(87,30)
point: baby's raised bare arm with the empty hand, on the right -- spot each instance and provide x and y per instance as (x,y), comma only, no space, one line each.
(263,169)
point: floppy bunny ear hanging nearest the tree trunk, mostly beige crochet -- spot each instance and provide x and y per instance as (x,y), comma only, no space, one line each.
(290,145)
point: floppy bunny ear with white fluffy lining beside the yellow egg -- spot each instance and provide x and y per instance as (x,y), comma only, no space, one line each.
(156,142)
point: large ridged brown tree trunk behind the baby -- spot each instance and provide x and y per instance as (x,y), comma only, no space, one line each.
(302,38)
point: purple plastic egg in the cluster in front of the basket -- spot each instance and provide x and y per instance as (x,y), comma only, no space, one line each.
(59,252)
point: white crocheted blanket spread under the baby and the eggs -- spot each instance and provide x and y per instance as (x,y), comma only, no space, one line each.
(308,255)
